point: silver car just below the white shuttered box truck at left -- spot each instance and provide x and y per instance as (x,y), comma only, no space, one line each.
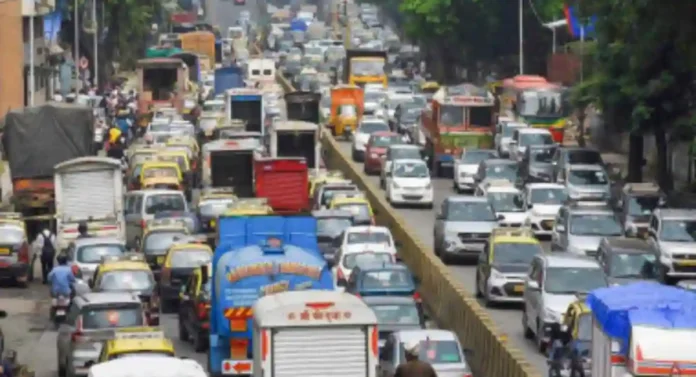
(87,253)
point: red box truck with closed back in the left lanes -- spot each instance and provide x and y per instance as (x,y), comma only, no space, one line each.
(284,182)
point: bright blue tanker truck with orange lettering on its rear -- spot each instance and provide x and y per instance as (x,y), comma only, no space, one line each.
(257,256)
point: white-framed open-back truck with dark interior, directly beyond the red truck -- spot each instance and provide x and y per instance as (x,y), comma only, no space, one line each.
(296,139)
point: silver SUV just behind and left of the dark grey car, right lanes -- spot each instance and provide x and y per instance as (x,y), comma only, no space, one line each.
(580,226)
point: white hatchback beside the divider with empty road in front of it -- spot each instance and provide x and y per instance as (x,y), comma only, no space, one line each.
(409,183)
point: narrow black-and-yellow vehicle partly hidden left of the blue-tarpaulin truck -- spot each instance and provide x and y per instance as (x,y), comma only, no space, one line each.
(577,322)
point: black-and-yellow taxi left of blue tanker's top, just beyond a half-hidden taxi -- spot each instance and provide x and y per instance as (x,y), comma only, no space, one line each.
(181,260)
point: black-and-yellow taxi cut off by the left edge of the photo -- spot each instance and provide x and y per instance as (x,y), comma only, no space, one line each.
(15,256)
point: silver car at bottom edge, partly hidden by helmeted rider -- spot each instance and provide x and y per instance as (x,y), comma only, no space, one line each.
(439,348)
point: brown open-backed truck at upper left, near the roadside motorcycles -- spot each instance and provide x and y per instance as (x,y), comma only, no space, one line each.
(161,81)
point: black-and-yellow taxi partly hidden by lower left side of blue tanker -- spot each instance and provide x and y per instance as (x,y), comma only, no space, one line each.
(194,308)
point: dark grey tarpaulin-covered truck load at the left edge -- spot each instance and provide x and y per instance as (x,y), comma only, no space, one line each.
(38,138)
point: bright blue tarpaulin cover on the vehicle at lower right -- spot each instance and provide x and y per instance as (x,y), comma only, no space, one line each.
(616,309)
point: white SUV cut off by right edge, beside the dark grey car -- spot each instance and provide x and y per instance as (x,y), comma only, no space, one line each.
(672,234)
